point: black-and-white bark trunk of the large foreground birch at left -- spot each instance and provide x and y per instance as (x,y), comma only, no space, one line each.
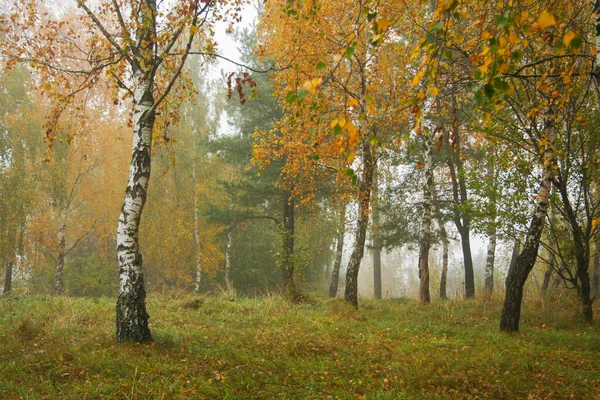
(132,318)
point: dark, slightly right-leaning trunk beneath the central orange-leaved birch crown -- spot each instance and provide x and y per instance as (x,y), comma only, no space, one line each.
(364,203)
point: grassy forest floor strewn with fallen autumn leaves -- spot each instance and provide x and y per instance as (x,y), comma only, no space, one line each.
(224,347)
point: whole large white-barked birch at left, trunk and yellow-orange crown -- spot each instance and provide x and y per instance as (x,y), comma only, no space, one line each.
(136,49)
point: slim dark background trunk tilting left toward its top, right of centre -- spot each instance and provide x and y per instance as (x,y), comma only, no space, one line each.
(461,218)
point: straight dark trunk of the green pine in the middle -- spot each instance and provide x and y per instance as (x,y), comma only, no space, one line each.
(287,265)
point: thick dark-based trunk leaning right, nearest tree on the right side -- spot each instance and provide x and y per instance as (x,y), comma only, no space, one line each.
(519,271)
